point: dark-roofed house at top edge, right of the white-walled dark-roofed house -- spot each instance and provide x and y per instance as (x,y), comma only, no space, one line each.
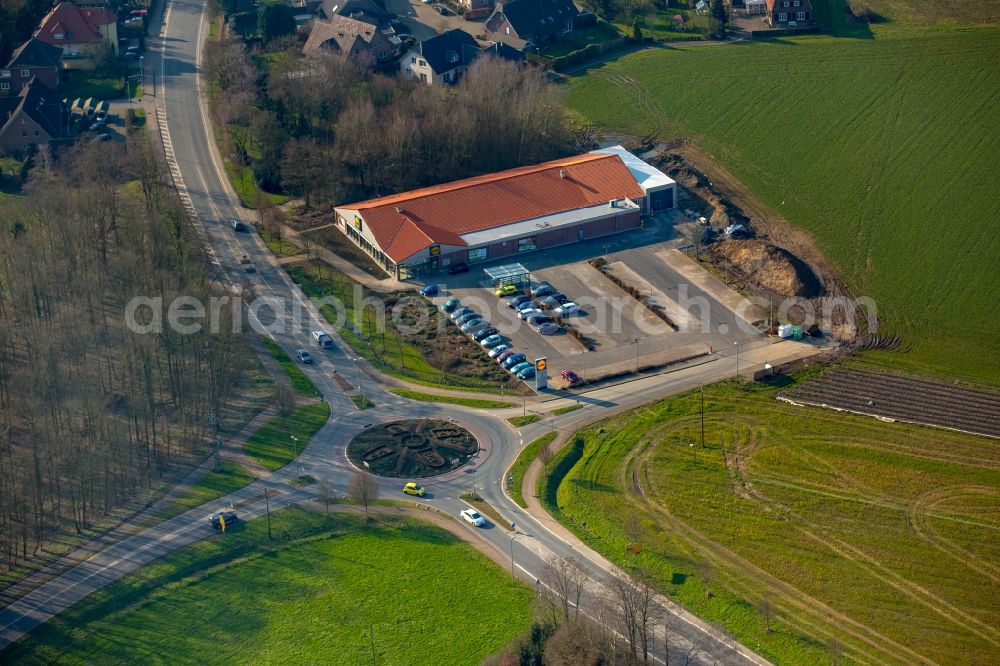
(531,23)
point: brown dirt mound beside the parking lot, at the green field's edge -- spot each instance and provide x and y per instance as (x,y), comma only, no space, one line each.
(772,268)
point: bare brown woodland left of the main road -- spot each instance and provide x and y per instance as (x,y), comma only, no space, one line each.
(92,414)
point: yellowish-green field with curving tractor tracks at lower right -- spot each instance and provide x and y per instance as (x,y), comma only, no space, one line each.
(881,534)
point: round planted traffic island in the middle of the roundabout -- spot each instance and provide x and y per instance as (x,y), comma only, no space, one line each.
(412,448)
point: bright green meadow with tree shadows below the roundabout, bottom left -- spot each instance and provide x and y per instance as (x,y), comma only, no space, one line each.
(319,593)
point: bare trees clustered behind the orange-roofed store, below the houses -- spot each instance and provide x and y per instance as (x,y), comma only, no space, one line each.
(328,130)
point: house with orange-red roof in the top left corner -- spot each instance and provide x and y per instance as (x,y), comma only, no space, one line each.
(79,31)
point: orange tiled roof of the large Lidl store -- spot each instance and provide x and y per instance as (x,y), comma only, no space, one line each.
(405,223)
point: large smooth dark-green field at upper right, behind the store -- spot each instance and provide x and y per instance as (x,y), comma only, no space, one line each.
(890,172)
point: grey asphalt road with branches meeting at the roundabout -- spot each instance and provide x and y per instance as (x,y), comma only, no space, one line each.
(197,170)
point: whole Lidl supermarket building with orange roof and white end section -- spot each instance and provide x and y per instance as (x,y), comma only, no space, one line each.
(501,215)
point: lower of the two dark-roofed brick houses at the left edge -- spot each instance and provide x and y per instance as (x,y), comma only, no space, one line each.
(34,117)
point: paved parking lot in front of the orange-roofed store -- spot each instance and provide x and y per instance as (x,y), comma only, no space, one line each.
(623,332)
